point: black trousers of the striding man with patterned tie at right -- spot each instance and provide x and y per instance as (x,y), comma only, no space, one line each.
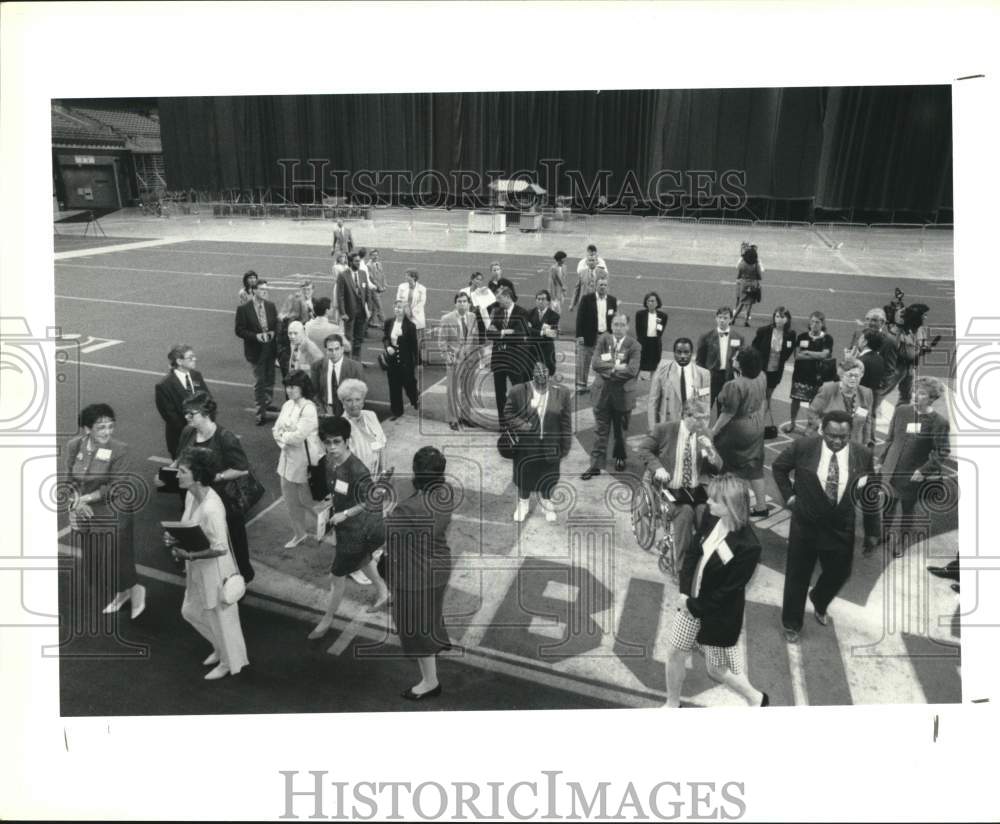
(835,569)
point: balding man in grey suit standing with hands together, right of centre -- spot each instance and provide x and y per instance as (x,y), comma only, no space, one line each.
(616,367)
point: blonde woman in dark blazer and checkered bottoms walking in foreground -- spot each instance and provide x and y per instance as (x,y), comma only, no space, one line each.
(714,578)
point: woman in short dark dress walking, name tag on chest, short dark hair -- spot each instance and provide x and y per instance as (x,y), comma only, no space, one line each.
(356,518)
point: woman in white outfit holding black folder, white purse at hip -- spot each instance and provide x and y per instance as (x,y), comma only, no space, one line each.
(203,607)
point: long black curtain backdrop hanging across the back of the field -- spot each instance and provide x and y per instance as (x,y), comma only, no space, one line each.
(864,148)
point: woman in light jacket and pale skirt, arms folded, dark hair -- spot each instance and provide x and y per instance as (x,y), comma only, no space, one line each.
(295,432)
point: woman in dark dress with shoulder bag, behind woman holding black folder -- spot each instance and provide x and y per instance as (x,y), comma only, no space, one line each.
(203,431)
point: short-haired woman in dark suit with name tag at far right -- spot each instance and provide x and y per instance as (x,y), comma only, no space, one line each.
(913,451)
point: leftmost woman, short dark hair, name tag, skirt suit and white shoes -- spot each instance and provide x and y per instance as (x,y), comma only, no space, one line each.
(101,523)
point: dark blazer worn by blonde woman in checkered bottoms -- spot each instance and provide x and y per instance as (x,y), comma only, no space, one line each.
(720,602)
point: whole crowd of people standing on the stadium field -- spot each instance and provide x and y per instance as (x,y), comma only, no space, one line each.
(707,407)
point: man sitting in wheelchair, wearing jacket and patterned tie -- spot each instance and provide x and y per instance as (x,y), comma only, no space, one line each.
(680,455)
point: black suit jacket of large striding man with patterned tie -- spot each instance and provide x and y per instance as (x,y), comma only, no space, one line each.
(816,521)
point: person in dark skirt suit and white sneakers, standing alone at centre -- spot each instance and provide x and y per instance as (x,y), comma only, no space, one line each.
(541,415)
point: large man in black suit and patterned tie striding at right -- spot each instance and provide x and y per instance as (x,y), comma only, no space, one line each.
(832,476)
